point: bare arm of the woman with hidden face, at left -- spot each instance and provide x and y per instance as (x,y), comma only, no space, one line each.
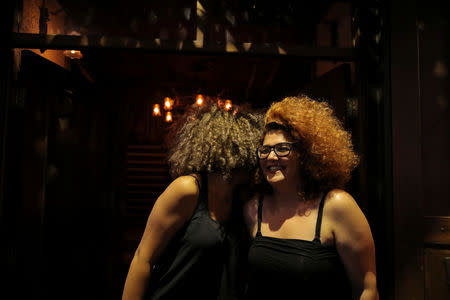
(171,210)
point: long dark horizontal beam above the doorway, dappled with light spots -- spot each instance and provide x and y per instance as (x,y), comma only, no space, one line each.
(30,40)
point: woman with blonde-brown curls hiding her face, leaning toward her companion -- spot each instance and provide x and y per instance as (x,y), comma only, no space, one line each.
(188,250)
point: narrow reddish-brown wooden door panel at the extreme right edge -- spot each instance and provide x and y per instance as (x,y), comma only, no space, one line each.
(434,62)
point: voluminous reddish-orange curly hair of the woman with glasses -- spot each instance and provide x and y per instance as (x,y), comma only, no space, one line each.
(326,151)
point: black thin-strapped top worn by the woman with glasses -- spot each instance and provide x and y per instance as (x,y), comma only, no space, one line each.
(300,269)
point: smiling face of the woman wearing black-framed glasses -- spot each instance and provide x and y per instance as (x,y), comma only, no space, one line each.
(280,170)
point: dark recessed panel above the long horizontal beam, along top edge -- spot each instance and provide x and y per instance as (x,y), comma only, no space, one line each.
(133,17)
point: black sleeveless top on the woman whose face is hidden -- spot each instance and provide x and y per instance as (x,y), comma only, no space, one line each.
(199,261)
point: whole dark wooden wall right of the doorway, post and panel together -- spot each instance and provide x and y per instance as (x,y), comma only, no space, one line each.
(420,119)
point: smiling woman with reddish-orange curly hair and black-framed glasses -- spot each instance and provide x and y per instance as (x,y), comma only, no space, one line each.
(310,238)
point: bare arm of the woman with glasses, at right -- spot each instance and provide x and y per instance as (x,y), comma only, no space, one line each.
(354,243)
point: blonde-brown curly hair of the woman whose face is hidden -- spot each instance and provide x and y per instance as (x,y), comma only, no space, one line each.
(210,139)
